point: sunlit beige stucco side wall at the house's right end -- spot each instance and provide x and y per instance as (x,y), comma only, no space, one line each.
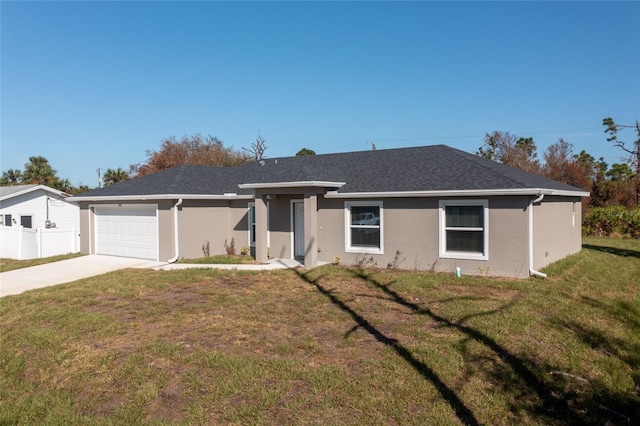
(557,230)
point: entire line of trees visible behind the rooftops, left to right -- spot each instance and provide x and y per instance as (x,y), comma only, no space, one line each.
(618,184)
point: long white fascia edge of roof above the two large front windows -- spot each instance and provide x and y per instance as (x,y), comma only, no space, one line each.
(458,193)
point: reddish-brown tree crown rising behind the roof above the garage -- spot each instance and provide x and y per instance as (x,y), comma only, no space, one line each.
(195,150)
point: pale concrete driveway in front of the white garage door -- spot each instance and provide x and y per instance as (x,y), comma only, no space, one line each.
(20,280)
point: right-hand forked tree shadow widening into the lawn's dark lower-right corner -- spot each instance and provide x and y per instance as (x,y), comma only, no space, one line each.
(521,375)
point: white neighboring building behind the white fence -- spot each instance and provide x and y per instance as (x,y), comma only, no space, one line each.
(37,206)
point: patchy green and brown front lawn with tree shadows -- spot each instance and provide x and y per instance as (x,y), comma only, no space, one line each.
(332,345)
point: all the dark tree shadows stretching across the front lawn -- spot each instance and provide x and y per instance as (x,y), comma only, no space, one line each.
(531,385)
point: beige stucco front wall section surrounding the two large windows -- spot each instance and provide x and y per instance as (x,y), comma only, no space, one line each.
(411,225)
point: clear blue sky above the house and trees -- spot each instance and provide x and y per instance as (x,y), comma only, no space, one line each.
(93,85)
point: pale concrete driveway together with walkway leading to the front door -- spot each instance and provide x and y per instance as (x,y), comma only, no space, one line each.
(64,271)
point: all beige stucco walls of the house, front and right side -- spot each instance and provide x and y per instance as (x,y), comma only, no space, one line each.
(410,225)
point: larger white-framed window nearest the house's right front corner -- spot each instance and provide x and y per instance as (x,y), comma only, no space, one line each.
(464,229)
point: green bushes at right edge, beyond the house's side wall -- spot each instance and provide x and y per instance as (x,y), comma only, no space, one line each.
(612,220)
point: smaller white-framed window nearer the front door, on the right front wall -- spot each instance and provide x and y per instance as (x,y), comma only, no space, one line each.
(363,225)
